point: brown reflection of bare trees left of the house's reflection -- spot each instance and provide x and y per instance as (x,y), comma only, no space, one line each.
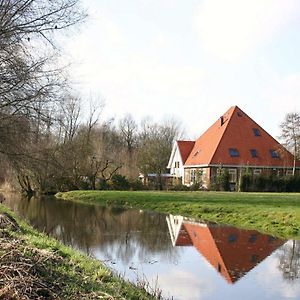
(116,232)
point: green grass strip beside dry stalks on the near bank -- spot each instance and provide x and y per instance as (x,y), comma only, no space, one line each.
(80,276)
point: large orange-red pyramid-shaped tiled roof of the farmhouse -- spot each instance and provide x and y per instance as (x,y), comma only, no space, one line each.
(236,130)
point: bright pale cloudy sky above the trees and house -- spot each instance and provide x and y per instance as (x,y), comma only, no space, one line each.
(190,60)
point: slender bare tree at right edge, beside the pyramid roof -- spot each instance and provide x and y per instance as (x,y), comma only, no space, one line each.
(290,134)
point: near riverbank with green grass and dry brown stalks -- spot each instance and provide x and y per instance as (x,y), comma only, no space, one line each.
(34,266)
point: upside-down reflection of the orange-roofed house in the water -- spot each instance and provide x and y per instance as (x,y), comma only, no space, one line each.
(231,251)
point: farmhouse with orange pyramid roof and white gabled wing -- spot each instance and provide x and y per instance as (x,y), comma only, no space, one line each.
(234,142)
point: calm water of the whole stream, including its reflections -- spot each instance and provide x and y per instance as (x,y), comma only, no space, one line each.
(184,258)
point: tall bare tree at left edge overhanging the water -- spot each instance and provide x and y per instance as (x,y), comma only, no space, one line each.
(31,85)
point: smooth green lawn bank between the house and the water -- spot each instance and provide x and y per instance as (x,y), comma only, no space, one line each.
(273,213)
